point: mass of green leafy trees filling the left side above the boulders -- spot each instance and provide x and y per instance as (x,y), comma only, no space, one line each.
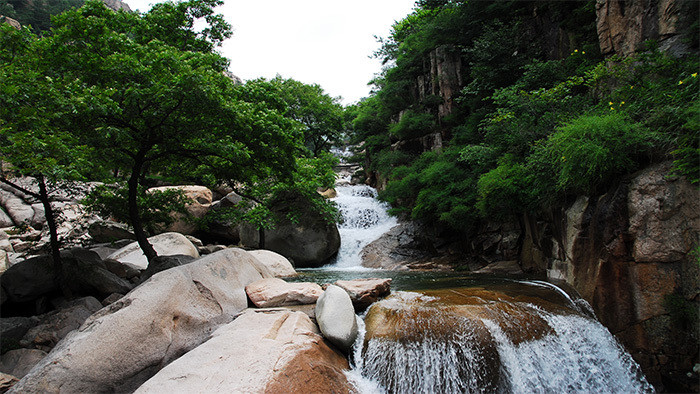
(138,100)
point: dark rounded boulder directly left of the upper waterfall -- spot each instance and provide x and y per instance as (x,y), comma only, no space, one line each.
(309,241)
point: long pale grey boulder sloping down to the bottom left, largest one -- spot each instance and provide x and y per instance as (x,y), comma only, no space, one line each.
(124,344)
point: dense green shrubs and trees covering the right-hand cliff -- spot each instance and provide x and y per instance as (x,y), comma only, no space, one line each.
(536,120)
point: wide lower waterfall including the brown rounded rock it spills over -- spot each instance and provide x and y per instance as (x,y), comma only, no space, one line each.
(417,343)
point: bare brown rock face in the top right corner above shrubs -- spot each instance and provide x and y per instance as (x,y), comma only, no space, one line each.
(624,26)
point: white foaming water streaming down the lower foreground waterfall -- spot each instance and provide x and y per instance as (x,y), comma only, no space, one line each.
(579,356)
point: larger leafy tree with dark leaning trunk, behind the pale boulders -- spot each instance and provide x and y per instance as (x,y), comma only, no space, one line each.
(163,101)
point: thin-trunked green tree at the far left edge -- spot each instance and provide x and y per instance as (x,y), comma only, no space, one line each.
(36,114)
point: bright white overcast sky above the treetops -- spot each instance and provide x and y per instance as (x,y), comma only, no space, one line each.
(325,42)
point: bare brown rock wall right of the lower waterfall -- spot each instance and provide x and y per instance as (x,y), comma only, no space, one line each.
(629,253)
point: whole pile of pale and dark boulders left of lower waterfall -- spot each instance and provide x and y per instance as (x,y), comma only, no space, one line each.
(150,339)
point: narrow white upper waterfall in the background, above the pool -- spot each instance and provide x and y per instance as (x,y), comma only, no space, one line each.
(364,219)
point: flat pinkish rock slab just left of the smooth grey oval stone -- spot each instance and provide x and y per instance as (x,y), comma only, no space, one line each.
(272,292)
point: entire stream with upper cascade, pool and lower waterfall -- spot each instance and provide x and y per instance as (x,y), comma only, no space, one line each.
(451,332)
